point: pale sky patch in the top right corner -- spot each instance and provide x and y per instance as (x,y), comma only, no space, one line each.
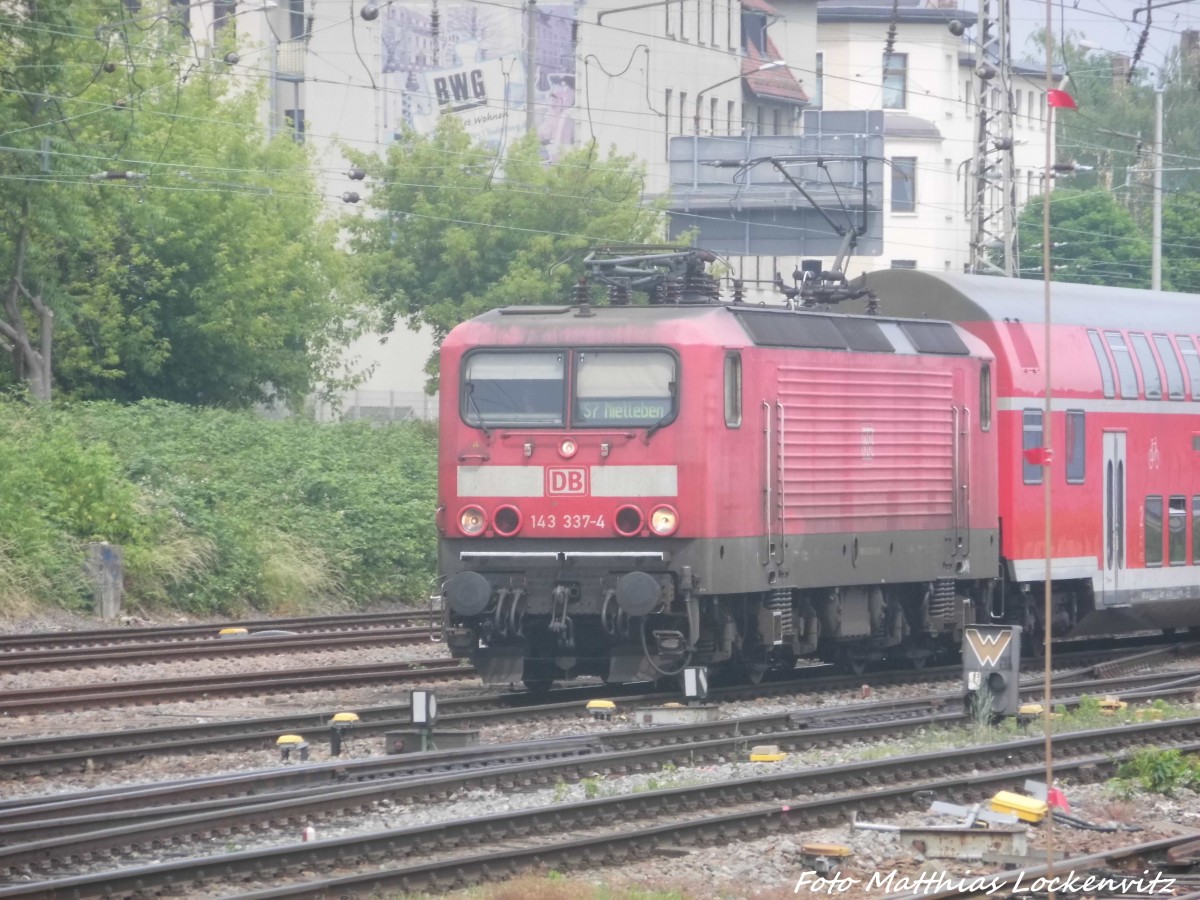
(1109,25)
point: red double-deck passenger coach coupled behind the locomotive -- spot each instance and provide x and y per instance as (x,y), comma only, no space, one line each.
(1125,430)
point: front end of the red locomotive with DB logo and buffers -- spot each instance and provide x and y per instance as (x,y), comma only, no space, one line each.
(561,509)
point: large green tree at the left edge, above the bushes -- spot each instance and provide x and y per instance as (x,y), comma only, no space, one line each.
(176,250)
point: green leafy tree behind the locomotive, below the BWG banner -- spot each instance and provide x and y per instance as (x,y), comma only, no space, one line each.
(455,230)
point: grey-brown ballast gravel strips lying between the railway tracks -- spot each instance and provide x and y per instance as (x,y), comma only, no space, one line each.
(766,868)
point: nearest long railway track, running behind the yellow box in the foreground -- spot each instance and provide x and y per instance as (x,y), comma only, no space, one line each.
(605,830)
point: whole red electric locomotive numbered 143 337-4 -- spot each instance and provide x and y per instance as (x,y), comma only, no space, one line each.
(628,490)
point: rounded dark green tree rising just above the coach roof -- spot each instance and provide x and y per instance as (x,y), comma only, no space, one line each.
(1094,241)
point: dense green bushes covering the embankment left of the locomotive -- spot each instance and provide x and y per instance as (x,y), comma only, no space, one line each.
(218,512)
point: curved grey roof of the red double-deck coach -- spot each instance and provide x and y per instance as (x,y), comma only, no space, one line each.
(988,298)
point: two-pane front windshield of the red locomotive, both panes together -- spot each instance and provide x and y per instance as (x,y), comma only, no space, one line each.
(611,388)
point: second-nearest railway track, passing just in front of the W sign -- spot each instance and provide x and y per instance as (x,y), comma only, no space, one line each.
(44,832)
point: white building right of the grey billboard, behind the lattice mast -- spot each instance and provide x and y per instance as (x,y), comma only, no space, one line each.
(927,86)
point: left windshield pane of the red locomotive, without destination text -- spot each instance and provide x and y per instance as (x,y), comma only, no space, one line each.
(514,389)
